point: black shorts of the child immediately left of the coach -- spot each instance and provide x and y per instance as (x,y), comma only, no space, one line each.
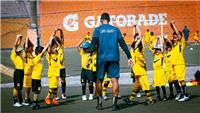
(87,75)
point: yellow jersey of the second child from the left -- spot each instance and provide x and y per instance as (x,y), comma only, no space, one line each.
(28,67)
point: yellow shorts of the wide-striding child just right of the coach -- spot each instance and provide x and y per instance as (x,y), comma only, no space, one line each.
(143,82)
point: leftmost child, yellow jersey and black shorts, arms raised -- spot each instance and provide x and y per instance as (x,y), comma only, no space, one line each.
(18,76)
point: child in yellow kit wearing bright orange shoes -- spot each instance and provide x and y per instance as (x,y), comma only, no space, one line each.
(53,72)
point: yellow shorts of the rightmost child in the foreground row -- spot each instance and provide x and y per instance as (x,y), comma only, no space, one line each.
(180,71)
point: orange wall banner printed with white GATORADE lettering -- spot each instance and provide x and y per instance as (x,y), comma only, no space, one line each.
(77,18)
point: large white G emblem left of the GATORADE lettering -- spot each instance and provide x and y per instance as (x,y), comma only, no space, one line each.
(70,22)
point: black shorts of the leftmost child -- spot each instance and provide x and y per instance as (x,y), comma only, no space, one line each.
(18,78)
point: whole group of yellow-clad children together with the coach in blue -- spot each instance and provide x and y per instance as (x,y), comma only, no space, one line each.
(100,66)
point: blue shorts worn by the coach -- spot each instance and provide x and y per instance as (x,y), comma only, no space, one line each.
(109,67)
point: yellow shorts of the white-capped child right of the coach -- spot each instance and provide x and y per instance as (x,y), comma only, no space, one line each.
(159,78)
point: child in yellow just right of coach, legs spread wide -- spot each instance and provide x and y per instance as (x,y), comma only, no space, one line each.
(139,70)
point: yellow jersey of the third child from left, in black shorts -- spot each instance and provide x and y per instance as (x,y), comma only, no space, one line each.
(37,68)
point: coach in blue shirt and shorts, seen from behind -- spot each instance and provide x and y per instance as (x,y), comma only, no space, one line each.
(108,38)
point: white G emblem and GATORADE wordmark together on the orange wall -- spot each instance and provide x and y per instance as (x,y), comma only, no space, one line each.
(70,22)
